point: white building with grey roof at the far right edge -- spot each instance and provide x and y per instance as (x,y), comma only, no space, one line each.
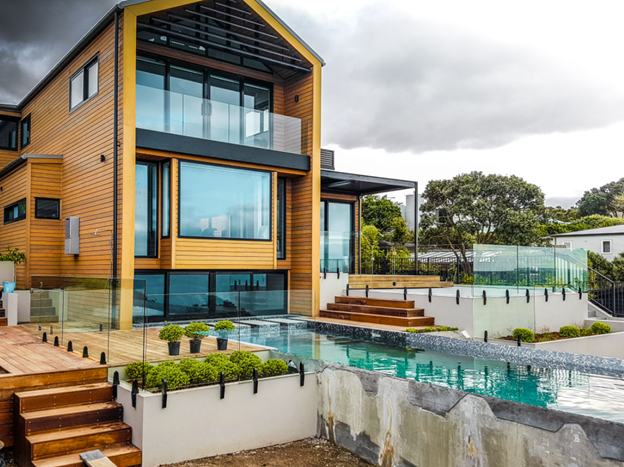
(606,241)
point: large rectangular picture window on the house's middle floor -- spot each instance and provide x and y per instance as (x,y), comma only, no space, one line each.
(222,202)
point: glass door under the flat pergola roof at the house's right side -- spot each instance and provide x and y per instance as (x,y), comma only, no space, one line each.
(337,242)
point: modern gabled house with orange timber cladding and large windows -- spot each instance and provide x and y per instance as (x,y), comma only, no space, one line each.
(178,145)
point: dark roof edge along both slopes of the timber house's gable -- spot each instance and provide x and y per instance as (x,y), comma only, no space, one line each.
(99,27)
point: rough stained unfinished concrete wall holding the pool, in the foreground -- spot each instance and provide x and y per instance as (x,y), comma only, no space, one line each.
(396,422)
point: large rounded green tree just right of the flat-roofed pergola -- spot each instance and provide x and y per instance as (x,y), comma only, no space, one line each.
(487,209)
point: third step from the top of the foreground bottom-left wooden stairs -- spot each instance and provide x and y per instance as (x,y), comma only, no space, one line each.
(86,438)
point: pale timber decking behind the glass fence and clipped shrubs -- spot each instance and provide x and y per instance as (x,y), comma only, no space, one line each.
(125,347)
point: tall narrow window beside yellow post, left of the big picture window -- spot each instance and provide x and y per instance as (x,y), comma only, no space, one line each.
(146,211)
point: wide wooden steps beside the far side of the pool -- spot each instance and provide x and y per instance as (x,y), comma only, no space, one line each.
(377,311)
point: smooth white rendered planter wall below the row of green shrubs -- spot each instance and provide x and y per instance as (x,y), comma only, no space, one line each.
(197,423)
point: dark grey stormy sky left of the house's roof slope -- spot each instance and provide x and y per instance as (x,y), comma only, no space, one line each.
(36,34)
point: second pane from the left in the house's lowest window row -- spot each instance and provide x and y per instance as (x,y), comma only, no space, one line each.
(188,294)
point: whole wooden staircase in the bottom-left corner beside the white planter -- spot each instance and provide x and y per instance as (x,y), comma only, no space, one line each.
(54,426)
